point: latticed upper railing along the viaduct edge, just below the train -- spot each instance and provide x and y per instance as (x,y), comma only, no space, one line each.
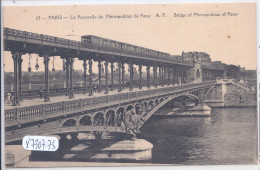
(78,44)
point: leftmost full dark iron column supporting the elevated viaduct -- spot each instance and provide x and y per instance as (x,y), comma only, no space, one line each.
(15,97)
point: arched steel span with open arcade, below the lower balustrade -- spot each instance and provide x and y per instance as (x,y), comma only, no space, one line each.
(111,118)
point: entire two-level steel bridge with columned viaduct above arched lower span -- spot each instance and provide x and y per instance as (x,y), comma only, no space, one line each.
(106,111)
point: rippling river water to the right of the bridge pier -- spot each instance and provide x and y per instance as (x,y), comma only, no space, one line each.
(229,136)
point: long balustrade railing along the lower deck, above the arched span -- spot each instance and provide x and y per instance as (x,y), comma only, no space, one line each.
(12,115)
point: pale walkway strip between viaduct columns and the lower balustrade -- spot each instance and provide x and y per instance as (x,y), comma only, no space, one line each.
(55,99)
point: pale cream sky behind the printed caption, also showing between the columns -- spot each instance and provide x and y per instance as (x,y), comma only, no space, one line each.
(227,38)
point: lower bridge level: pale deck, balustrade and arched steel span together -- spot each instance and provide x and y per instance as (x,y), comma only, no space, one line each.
(102,113)
